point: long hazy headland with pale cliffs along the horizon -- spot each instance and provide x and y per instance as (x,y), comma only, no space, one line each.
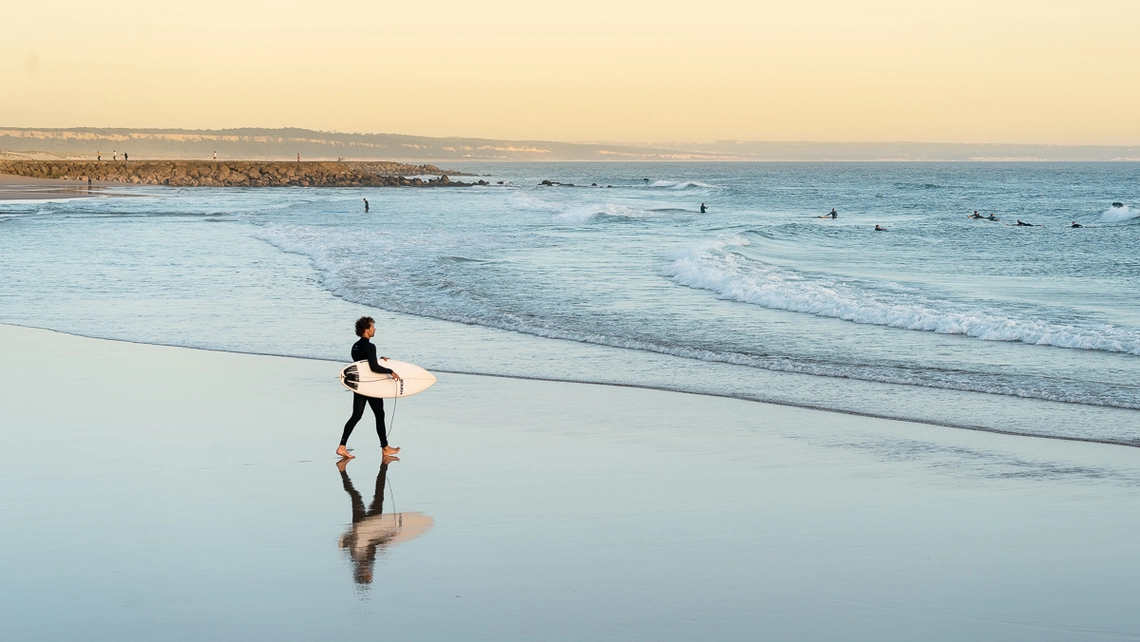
(286,144)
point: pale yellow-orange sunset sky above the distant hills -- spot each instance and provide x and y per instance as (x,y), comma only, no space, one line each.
(965,71)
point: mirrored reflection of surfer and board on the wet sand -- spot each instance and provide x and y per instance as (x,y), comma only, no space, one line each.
(373,530)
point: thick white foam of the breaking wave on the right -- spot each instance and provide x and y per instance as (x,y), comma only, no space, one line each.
(719,269)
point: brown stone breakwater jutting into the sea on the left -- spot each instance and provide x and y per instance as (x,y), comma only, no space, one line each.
(237,174)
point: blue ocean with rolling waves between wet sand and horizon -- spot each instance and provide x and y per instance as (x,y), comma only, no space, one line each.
(621,280)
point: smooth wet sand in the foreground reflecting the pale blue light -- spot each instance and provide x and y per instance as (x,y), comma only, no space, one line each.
(151,492)
